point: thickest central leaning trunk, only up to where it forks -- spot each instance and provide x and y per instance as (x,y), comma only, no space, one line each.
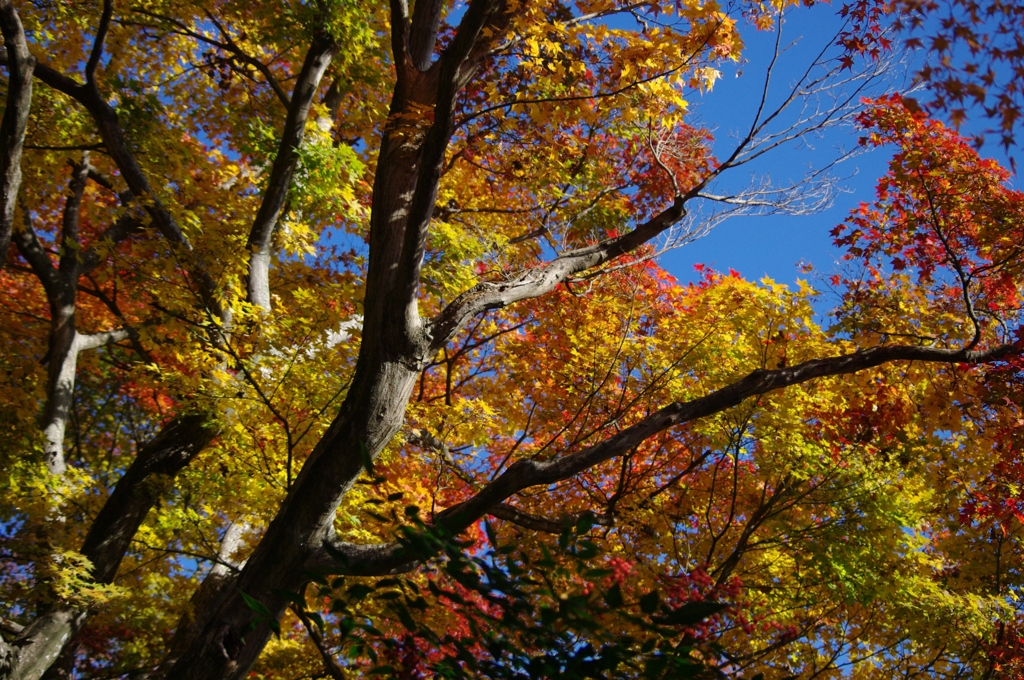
(373,412)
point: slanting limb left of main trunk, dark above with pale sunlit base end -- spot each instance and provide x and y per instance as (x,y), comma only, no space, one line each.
(262,234)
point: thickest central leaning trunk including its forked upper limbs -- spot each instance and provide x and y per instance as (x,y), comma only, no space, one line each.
(389,366)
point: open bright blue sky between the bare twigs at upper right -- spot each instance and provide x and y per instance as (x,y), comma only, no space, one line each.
(773,245)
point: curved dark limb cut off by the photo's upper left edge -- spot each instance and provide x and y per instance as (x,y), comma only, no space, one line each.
(16,119)
